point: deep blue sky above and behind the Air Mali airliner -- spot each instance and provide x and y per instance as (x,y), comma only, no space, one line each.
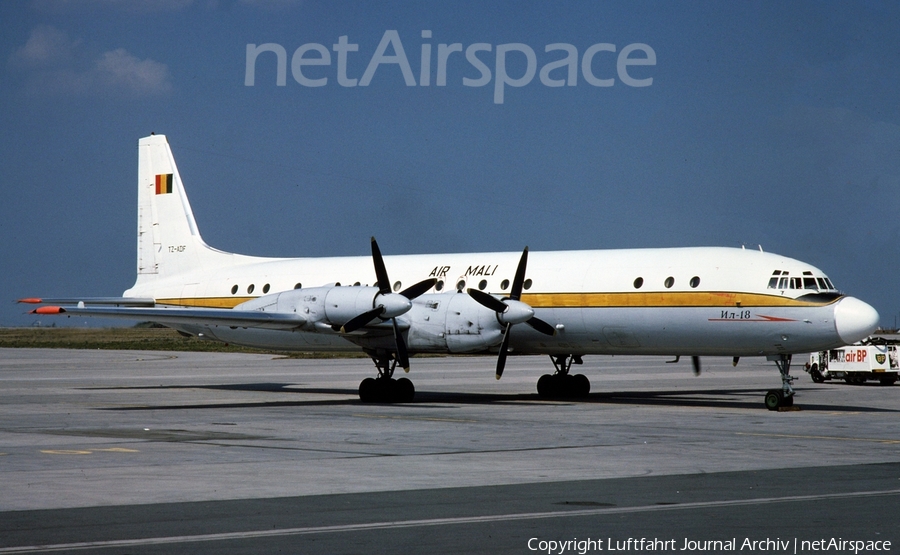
(766,123)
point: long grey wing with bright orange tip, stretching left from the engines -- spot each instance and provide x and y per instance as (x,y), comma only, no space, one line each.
(181,315)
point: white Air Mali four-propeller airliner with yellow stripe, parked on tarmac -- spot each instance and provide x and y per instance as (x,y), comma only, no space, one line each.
(703,301)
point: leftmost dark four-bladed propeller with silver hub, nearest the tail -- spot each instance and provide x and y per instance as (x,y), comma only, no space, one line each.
(389,305)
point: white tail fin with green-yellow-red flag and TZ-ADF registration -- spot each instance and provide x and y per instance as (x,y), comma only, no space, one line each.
(169,242)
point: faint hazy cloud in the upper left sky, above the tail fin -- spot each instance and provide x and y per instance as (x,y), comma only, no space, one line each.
(54,64)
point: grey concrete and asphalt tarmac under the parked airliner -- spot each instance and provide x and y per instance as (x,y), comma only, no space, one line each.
(151,452)
